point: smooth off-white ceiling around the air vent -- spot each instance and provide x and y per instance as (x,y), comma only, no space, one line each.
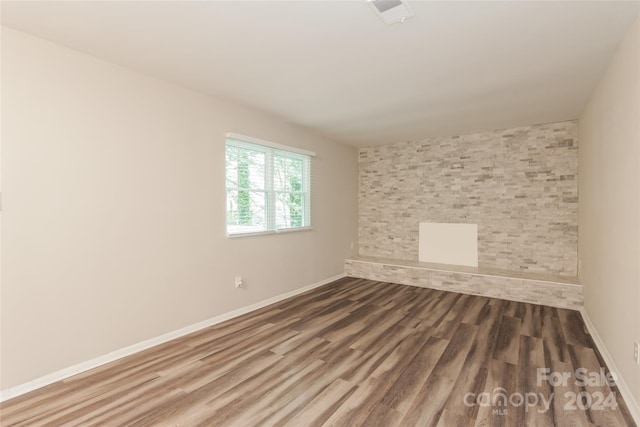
(333,66)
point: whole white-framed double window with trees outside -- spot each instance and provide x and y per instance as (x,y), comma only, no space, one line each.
(268,186)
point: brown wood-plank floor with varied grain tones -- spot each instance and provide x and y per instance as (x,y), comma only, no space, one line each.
(351,353)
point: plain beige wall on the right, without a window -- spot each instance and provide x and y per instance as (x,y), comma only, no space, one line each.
(609,207)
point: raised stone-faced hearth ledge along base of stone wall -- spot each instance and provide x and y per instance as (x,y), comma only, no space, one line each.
(555,291)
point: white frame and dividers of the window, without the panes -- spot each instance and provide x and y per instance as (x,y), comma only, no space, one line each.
(271,149)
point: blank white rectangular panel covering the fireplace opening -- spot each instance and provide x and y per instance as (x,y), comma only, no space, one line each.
(445,243)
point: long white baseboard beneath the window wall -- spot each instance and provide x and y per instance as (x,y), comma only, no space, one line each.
(127,351)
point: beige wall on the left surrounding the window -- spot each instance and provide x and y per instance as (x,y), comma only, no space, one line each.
(113,200)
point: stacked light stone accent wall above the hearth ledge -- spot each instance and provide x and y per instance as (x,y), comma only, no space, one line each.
(519,185)
